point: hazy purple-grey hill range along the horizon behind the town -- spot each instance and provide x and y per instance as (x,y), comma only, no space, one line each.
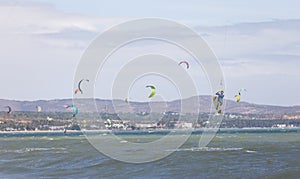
(87,105)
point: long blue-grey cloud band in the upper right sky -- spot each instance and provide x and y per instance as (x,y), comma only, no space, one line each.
(246,39)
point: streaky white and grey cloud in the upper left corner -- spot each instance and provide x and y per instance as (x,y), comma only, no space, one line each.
(42,22)
